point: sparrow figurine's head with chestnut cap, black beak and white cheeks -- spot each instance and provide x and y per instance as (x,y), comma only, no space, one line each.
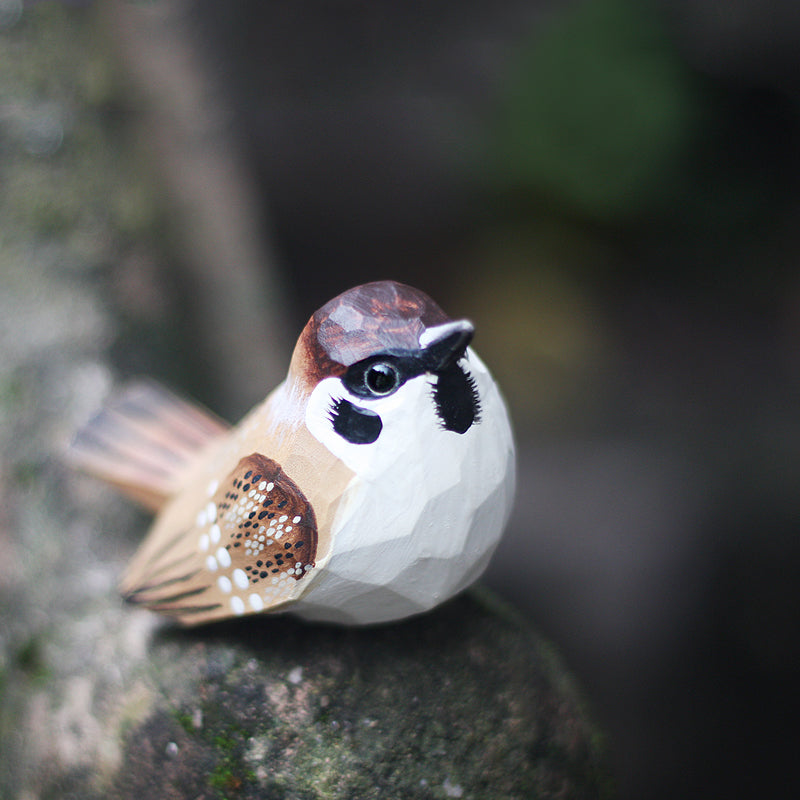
(380,362)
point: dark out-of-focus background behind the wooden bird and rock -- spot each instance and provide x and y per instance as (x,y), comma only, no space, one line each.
(610,189)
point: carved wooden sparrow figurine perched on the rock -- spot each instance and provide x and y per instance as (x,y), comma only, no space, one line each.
(372,484)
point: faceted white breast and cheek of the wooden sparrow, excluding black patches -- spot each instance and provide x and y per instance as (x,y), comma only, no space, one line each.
(425,509)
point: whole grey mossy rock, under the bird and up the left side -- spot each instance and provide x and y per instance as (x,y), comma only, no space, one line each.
(101,701)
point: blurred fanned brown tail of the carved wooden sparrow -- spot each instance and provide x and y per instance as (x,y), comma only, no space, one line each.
(143,440)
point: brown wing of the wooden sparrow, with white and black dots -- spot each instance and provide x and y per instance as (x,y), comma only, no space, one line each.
(253,543)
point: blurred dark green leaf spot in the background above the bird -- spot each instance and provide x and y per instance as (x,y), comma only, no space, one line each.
(598,109)
